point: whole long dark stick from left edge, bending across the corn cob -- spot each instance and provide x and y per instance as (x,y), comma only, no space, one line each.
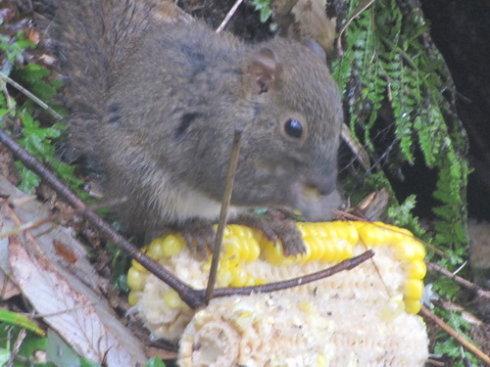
(194,298)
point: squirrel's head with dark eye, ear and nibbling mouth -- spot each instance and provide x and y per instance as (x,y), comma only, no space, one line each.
(287,106)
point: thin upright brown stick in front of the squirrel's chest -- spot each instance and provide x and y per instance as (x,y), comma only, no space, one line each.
(225,203)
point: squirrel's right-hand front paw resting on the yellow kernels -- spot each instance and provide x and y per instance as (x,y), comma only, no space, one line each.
(277,227)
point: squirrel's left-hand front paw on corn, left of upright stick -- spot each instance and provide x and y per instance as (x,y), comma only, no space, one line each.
(199,236)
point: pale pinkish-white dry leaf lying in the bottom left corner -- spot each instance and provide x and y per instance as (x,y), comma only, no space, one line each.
(82,319)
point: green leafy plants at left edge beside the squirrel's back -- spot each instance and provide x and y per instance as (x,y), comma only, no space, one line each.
(37,138)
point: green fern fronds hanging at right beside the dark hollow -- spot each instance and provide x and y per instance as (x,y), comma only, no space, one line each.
(387,61)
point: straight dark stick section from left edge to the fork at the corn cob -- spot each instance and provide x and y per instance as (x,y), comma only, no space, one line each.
(189,295)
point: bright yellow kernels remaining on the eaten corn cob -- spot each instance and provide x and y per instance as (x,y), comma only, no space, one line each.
(325,243)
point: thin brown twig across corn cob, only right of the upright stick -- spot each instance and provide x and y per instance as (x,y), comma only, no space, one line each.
(295,282)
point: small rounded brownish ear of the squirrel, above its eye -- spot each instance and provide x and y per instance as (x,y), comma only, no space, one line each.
(262,71)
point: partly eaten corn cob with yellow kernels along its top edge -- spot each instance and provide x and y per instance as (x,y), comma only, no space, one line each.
(358,317)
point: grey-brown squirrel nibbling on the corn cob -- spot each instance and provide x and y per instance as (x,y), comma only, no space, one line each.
(154,105)
